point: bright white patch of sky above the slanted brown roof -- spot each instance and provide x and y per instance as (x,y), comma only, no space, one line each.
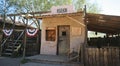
(110,7)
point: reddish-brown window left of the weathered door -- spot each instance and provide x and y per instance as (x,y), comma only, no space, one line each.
(50,35)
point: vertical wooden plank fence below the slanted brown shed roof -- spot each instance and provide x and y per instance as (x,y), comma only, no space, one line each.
(107,56)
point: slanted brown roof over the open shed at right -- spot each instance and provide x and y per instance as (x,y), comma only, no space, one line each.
(103,23)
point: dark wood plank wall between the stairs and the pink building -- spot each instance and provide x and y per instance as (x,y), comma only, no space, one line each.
(33,45)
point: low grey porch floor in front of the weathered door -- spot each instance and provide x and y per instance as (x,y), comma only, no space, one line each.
(53,59)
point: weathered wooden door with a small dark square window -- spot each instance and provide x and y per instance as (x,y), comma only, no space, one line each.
(63,40)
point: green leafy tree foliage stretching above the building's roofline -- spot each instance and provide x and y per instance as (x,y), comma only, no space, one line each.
(18,6)
